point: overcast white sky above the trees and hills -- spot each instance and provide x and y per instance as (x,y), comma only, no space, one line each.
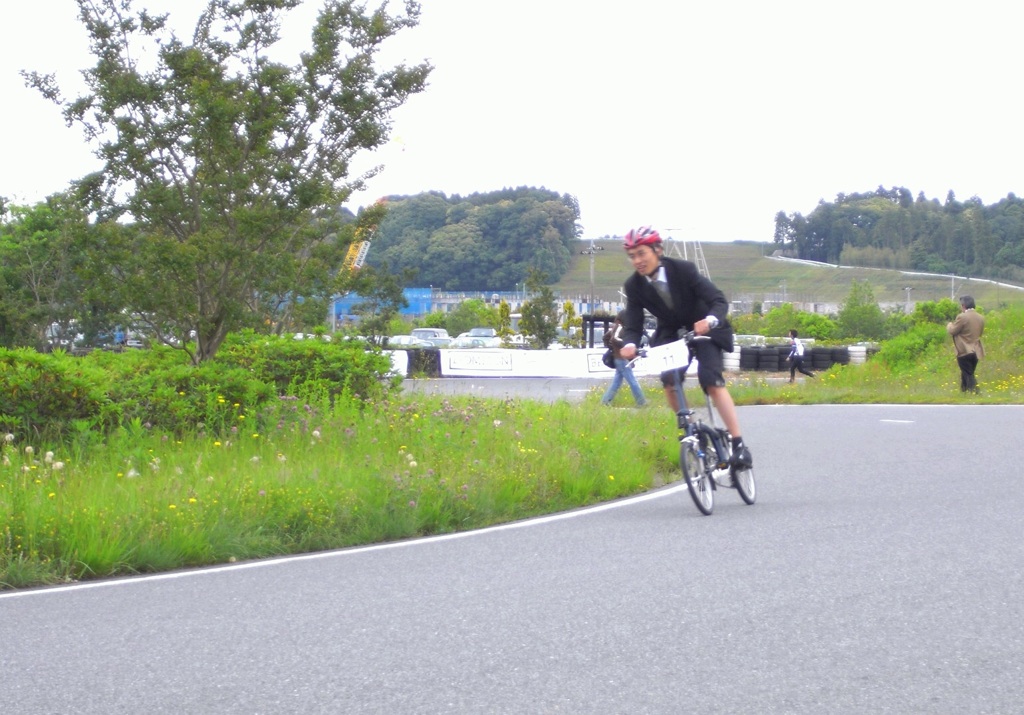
(702,119)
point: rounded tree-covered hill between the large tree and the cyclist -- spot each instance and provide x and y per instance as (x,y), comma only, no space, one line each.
(480,242)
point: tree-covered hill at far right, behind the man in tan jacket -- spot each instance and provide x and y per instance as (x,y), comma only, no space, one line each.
(890,229)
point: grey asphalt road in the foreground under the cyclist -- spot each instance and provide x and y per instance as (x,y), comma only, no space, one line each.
(880,572)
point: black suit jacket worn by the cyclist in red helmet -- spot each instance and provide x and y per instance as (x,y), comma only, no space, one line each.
(694,298)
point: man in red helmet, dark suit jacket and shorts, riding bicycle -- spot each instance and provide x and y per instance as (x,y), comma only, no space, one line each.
(680,299)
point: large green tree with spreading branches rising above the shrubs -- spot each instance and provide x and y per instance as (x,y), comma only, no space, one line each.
(230,163)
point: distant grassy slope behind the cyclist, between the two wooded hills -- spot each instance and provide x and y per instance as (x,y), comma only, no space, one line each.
(742,271)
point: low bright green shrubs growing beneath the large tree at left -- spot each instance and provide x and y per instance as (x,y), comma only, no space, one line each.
(160,389)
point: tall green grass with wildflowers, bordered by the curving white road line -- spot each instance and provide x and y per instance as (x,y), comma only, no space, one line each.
(145,502)
